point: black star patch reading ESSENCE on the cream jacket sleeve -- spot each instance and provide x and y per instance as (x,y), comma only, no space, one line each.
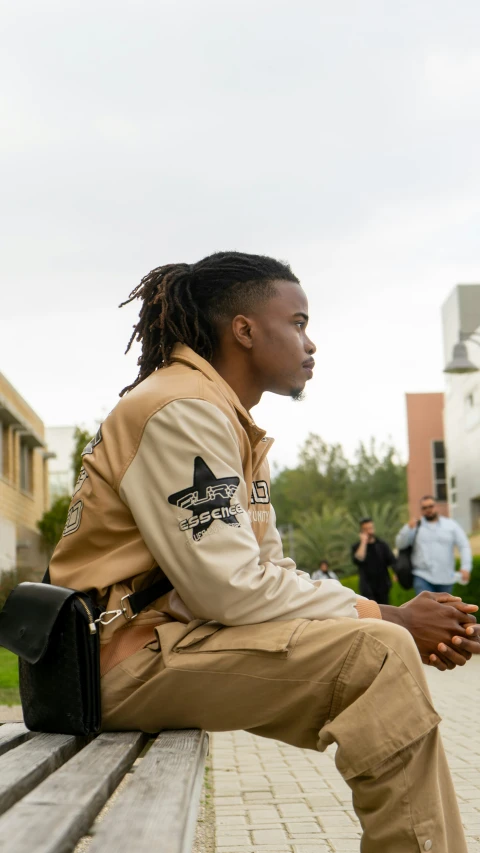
(208,499)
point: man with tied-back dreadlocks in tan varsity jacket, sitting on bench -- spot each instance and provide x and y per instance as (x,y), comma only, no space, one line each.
(176,484)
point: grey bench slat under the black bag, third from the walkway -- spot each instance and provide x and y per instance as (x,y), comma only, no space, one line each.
(27,765)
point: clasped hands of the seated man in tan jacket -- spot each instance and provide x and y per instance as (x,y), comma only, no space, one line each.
(442,625)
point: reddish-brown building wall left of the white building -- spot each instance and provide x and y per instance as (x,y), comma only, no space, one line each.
(425,426)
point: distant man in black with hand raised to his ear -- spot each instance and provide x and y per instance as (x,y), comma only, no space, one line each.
(373,557)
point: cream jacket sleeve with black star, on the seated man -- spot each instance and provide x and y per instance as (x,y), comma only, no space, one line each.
(186,491)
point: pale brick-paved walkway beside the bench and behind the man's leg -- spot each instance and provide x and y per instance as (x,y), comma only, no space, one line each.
(272,798)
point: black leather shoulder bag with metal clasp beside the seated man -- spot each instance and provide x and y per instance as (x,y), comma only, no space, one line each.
(53,630)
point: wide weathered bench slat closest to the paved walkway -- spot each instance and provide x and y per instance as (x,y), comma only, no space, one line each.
(158,808)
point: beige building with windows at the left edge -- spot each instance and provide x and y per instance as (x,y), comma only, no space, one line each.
(23,481)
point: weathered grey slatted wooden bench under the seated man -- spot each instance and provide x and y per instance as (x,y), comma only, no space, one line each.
(52,788)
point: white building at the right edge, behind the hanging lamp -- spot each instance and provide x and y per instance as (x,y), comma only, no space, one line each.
(461,322)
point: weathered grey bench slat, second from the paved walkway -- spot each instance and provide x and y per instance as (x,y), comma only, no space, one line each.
(57,813)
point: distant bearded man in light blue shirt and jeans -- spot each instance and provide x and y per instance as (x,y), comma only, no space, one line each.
(434,538)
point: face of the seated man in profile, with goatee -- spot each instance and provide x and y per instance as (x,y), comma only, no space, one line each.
(282,352)
